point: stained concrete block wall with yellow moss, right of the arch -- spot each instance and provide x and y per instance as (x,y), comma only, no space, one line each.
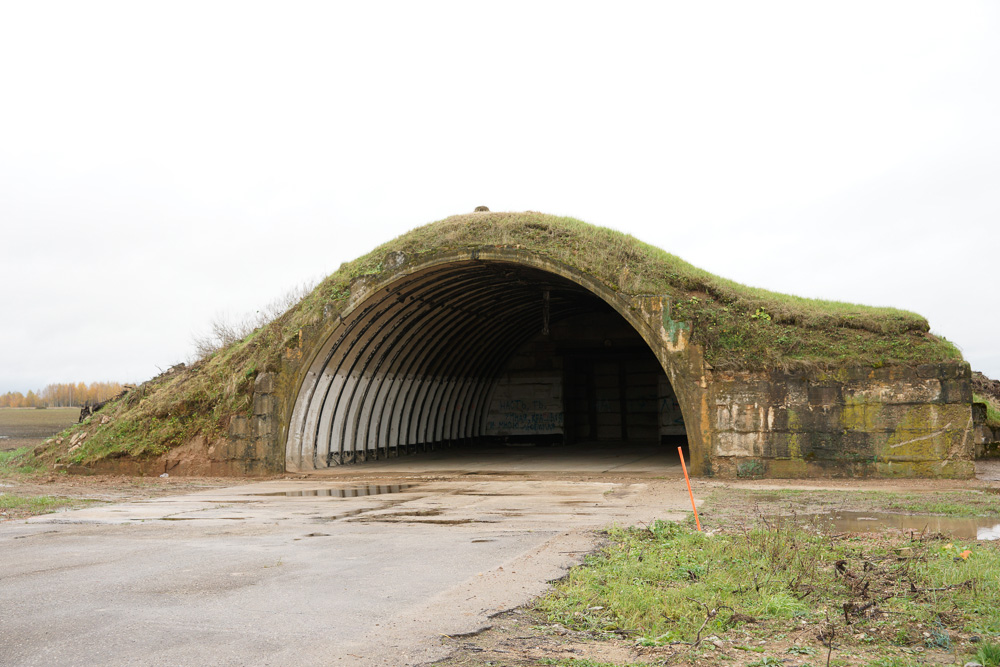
(905,422)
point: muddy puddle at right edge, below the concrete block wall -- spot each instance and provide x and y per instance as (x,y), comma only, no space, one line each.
(868,522)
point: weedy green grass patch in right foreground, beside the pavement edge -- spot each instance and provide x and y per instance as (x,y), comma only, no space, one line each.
(667,583)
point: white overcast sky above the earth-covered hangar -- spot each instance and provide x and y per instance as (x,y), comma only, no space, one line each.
(162,163)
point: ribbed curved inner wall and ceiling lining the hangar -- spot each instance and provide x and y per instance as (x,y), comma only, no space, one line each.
(412,362)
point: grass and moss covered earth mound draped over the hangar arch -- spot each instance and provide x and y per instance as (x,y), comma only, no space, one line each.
(738,327)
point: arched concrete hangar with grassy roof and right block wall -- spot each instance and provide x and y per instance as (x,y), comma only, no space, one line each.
(495,327)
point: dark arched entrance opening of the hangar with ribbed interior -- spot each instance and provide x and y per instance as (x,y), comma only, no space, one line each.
(479,354)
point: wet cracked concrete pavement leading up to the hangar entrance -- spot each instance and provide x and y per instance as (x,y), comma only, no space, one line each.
(365,565)
